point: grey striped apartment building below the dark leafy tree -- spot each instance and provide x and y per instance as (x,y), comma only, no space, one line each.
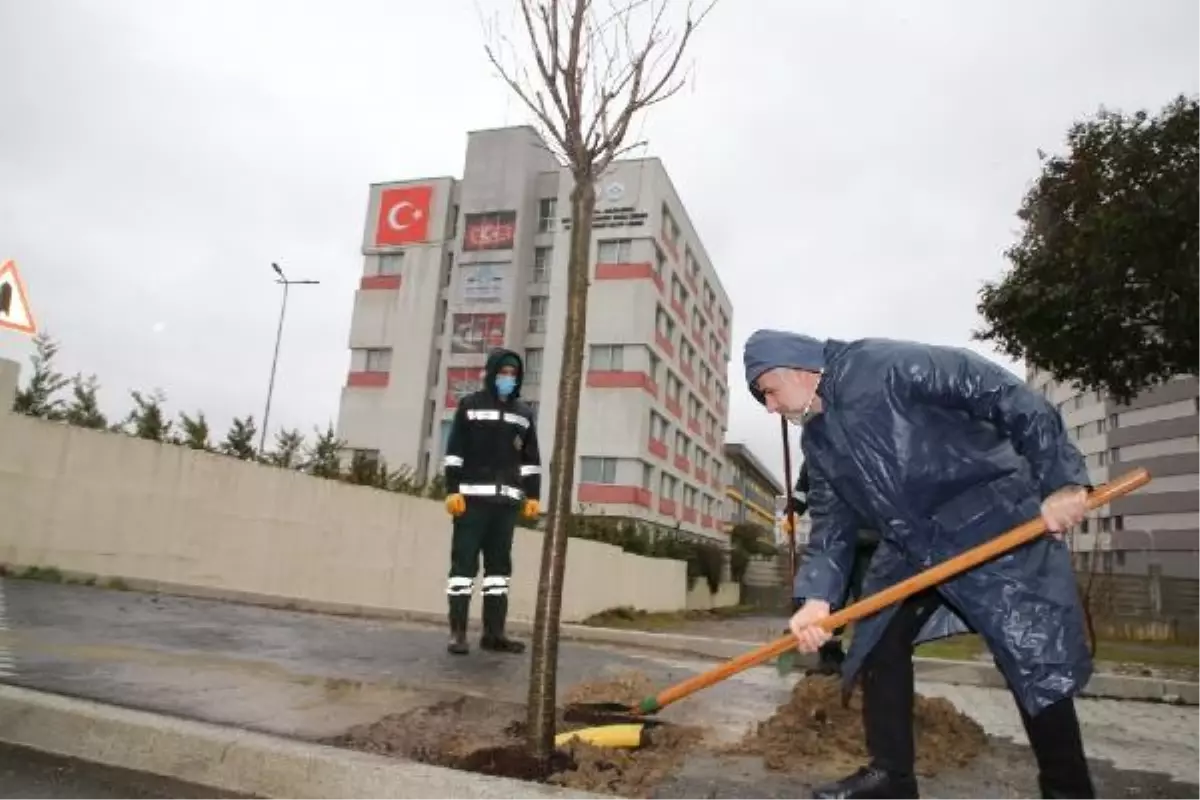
(1159,526)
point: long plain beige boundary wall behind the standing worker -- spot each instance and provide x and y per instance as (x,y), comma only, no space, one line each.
(104,504)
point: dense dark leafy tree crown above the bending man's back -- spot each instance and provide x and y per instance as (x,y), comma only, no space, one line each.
(1105,286)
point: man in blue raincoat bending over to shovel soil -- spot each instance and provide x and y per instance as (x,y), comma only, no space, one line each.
(939,450)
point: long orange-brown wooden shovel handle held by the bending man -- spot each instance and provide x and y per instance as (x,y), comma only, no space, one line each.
(895,594)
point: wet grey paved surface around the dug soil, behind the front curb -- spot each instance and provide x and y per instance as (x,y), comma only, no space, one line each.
(313,676)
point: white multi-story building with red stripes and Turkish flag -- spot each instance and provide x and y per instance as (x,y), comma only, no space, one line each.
(454,268)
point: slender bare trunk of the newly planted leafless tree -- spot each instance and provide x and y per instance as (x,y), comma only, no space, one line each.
(544,657)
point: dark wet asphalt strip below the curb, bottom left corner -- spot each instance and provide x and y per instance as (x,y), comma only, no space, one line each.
(28,775)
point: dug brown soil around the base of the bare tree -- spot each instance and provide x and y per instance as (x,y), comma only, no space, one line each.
(483,736)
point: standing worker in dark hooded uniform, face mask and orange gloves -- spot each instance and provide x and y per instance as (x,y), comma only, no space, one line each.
(493,474)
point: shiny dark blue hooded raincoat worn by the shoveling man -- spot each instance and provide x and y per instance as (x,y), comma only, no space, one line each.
(939,450)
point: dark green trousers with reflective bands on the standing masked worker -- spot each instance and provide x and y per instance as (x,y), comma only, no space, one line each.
(484,528)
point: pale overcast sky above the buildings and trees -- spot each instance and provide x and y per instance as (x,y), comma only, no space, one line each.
(853,167)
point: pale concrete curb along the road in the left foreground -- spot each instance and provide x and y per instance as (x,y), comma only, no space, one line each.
(233,760)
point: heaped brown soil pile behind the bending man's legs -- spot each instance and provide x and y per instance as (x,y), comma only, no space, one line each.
(814,732)
